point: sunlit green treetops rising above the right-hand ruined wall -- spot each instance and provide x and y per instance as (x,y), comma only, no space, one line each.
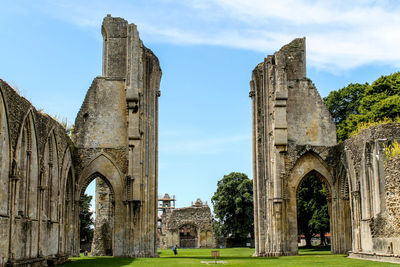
(356,104)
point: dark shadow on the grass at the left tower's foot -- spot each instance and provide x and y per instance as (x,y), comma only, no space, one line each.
(100,261)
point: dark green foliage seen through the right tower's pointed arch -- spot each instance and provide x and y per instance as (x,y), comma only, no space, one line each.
(312,209)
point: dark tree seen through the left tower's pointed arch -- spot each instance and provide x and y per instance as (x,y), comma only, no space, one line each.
(86,220)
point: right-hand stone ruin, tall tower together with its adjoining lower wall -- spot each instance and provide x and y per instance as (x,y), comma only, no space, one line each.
(294,136)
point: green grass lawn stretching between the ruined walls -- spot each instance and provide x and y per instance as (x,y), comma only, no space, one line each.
(232,257)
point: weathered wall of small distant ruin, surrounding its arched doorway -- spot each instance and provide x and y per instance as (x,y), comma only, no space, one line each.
(198,217)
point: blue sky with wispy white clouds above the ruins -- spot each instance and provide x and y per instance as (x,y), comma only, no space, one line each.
(51,51)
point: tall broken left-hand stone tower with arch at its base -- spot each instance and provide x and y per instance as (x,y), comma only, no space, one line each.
(116,135)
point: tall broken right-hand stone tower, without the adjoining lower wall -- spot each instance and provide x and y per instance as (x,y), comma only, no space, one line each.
(292,130)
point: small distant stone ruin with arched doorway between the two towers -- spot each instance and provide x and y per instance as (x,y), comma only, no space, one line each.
(190,227)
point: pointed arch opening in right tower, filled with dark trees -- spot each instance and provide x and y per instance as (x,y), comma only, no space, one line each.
(313,218)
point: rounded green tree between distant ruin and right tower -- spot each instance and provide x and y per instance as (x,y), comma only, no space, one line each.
(233,206)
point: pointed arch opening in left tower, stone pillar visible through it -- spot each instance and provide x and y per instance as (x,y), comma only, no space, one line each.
(101,242)
